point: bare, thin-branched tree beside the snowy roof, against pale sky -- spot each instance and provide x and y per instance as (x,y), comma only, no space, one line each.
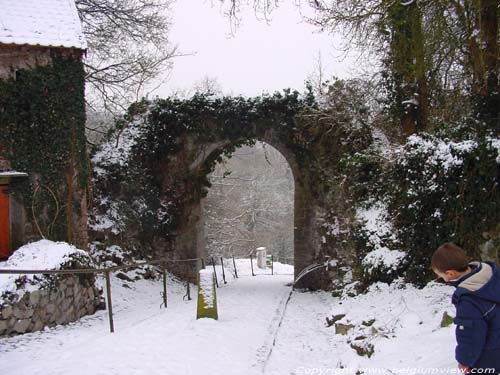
(128,47)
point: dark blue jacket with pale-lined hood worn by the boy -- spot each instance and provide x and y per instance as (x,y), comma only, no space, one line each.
(477,300)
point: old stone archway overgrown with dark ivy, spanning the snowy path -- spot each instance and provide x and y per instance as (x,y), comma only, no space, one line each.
(174,144)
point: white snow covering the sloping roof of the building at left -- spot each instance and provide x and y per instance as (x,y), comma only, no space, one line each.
(48,23)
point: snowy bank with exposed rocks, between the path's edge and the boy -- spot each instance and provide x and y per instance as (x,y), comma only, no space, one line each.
(408,337)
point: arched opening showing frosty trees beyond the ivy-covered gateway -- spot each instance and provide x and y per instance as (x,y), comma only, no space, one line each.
(250,204)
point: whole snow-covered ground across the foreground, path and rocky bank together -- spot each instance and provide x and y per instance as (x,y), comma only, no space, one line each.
(258,332)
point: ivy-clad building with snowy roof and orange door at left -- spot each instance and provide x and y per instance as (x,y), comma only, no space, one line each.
(42,119)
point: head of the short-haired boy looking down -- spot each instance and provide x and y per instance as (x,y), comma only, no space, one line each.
(449,262)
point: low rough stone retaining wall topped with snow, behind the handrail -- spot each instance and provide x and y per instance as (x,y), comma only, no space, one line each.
(66,302)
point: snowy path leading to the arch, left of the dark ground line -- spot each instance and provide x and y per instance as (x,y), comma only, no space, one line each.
(153,341)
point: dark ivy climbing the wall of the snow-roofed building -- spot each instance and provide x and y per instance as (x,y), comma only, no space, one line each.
(42,117)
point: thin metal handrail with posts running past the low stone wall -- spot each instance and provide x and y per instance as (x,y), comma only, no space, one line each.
(107,271)
